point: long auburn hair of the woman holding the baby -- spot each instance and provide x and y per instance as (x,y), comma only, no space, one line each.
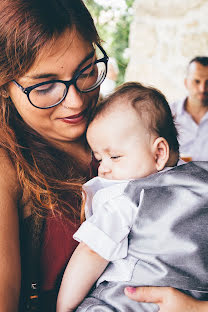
(46,174)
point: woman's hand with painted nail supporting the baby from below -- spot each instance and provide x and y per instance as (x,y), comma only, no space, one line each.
(168,299)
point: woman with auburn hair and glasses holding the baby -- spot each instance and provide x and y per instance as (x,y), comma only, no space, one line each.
(49,83)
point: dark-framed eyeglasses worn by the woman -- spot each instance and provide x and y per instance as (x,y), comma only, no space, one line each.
(48,94)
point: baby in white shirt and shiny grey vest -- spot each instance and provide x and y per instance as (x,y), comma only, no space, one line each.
(146,214)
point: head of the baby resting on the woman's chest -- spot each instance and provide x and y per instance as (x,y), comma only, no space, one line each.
(132,133)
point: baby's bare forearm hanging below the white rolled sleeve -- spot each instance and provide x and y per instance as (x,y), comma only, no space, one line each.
(83,269)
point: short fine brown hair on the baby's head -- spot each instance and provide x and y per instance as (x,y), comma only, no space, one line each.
(151,106)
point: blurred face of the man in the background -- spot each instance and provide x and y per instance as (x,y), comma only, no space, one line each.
(196,83)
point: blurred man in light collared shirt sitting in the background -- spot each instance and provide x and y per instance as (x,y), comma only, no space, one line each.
(191,113)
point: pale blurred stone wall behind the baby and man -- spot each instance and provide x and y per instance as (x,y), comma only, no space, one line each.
(164,36)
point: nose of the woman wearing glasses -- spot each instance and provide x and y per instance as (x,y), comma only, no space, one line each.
(73,99)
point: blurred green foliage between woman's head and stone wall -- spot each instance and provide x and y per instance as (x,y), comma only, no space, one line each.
(113,27)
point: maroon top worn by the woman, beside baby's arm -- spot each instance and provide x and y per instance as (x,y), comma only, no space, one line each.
(58,246)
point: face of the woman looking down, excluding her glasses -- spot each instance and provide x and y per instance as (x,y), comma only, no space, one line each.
(58,61)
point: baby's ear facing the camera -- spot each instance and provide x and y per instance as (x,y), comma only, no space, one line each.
(161,152)
